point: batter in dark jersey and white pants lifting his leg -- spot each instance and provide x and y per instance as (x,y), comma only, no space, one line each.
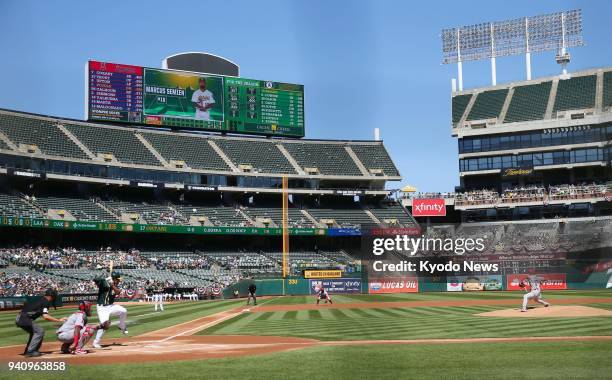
(108,289)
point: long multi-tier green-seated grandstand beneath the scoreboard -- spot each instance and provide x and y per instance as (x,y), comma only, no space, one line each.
(184,210)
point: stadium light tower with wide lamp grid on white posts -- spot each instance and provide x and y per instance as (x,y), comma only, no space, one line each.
(556,31)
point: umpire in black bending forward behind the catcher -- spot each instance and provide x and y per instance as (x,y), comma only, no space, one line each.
(29,313)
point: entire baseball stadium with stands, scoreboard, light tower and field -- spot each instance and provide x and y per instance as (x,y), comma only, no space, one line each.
(190,226)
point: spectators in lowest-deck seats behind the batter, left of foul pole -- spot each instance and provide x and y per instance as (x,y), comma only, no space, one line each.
(27,270)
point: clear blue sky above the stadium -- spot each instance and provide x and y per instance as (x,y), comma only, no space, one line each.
(364,64)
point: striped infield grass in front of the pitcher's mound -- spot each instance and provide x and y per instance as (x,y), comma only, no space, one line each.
(406,323)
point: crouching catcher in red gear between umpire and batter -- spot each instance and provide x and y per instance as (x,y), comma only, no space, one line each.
(75,331)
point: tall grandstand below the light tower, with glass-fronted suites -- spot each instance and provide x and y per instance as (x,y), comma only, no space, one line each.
(534,149)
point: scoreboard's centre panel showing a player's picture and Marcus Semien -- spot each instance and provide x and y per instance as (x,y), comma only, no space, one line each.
(170,94)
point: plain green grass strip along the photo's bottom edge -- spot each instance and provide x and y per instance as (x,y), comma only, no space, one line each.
(554,360)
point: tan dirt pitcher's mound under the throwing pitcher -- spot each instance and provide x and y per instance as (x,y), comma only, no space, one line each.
(550,312)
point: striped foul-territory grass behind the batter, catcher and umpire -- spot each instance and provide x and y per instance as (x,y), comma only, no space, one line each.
(141,319)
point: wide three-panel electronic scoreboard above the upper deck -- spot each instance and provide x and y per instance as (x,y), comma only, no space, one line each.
(169,98)
